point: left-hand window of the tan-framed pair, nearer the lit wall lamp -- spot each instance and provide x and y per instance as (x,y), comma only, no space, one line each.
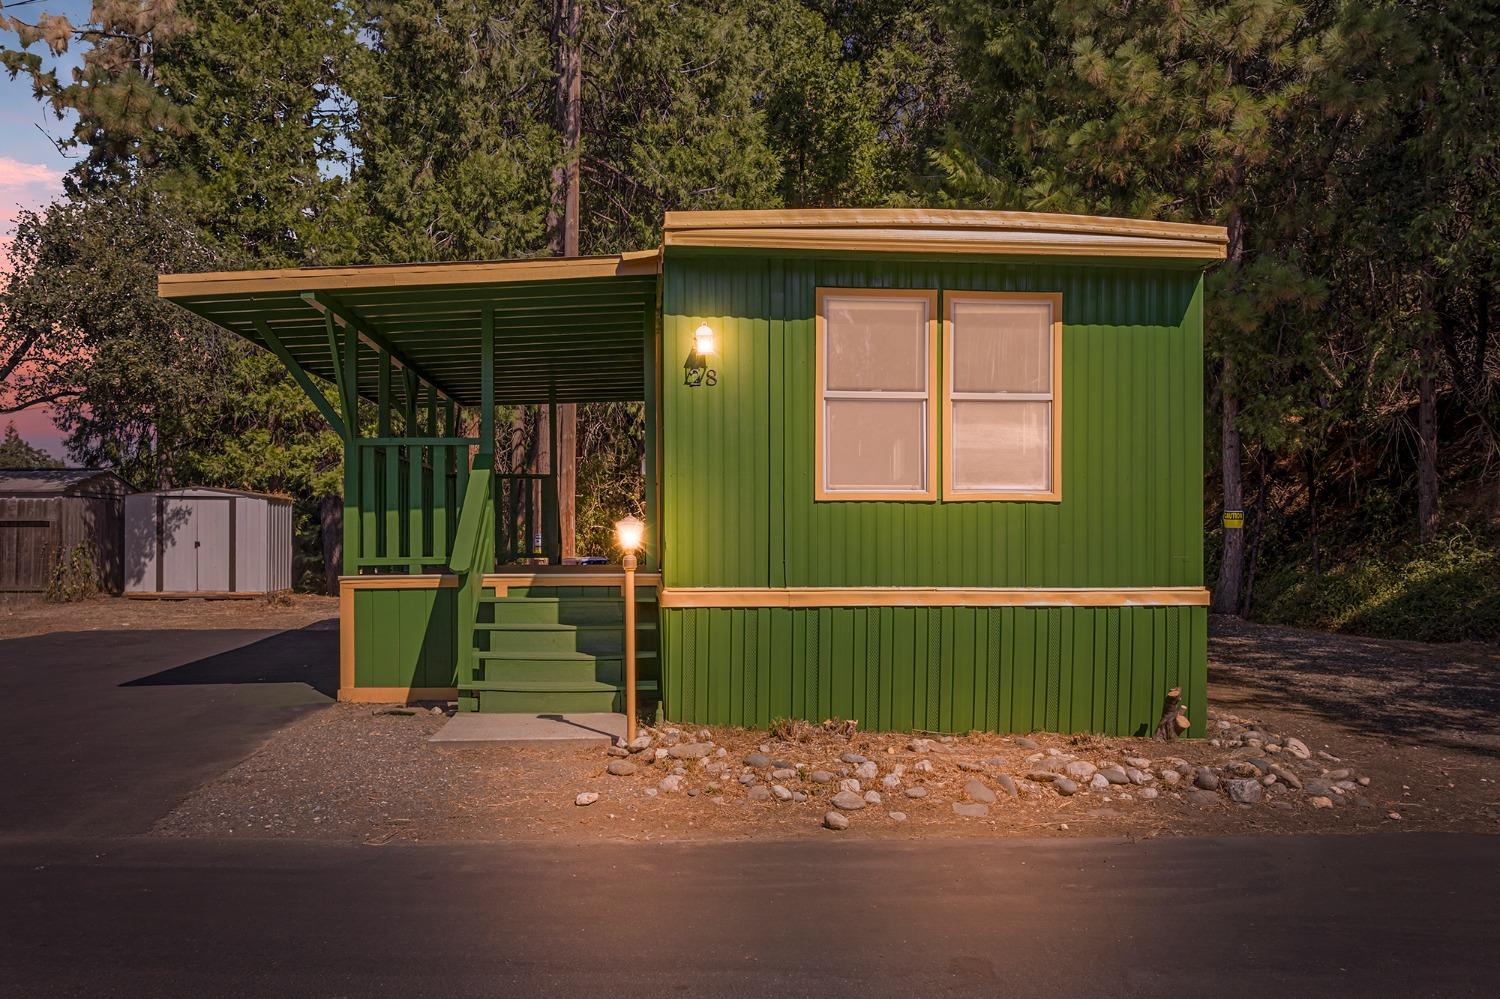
(877,385)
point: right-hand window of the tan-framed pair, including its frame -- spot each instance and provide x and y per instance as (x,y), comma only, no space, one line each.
(1003,397)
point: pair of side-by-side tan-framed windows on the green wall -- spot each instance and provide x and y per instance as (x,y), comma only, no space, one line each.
(880,403)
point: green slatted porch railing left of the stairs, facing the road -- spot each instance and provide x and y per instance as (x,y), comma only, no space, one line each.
(412,493)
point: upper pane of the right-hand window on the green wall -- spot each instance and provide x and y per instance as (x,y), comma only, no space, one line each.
(1001,347)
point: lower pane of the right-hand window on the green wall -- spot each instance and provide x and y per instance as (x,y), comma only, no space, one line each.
(1003,446)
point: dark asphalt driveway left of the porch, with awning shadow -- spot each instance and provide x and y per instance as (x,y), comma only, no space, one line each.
(107,731)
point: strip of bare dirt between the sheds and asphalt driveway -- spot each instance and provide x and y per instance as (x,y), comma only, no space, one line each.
(29,616)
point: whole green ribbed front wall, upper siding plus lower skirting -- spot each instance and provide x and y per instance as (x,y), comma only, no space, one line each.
(737,511)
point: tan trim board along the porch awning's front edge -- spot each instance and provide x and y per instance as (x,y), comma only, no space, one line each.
(298,280)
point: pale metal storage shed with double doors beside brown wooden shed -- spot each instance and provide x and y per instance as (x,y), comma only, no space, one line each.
(206,542)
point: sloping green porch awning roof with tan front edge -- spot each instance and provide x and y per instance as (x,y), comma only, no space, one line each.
(577,328)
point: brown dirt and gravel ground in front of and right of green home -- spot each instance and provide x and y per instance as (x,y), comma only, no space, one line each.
(1418,722)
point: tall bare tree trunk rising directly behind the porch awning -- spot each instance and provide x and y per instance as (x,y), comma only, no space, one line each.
(563,239)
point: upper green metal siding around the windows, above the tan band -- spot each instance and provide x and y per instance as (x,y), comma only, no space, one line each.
(737,506)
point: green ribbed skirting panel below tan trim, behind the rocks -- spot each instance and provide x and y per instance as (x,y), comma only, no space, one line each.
(938,670)
